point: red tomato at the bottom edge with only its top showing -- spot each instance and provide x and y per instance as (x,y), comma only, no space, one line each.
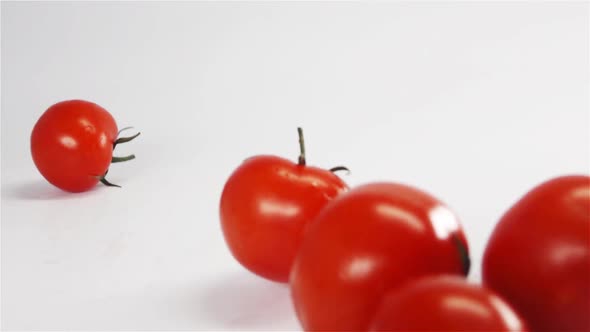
(445,303)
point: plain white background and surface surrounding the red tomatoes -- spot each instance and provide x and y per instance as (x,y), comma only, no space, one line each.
(475,103)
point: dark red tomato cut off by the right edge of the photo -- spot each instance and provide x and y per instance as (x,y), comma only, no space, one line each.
(538,256)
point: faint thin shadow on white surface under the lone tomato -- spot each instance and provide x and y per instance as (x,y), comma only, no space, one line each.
(39,190)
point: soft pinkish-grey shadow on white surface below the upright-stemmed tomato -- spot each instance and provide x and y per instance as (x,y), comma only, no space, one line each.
(242,301)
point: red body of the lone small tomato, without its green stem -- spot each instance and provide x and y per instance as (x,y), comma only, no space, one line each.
(72,144)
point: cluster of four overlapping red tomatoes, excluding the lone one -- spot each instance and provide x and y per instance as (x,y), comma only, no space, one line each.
(390,257)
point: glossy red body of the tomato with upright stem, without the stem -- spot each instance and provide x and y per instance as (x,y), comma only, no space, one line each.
(265,206)
